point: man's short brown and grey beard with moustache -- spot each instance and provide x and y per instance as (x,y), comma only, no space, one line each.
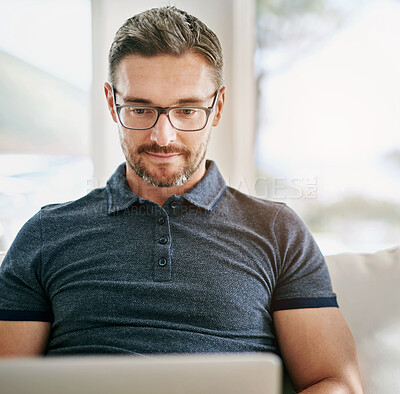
(163,176)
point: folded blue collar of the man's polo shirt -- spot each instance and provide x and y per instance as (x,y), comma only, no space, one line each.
(205,194)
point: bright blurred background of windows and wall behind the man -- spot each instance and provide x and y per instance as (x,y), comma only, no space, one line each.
(312,115)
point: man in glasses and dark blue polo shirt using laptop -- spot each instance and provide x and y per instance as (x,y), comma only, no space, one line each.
(166,258)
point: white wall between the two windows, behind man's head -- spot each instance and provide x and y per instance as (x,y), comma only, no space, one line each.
(231,144)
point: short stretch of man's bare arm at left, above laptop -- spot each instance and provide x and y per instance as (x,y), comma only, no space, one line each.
(23,338)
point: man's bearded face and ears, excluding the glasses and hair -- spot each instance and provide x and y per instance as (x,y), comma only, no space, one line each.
(162,155)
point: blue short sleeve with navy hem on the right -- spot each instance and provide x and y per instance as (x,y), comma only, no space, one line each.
(303,277)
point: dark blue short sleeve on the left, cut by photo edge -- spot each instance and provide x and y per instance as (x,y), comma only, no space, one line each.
(22,296)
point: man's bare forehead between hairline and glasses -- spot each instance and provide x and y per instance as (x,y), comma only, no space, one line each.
(164,78)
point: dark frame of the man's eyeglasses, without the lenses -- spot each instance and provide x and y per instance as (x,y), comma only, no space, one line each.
(164,110)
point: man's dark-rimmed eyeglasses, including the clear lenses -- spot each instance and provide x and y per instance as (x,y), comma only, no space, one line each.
(142,117)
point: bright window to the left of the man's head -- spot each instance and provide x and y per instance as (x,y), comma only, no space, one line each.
(45,76)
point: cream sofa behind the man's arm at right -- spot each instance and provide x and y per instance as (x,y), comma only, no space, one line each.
(368,292)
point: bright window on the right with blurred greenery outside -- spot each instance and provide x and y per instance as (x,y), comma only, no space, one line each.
(329,115)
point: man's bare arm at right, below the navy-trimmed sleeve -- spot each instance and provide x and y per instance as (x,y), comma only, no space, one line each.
(318,350)
